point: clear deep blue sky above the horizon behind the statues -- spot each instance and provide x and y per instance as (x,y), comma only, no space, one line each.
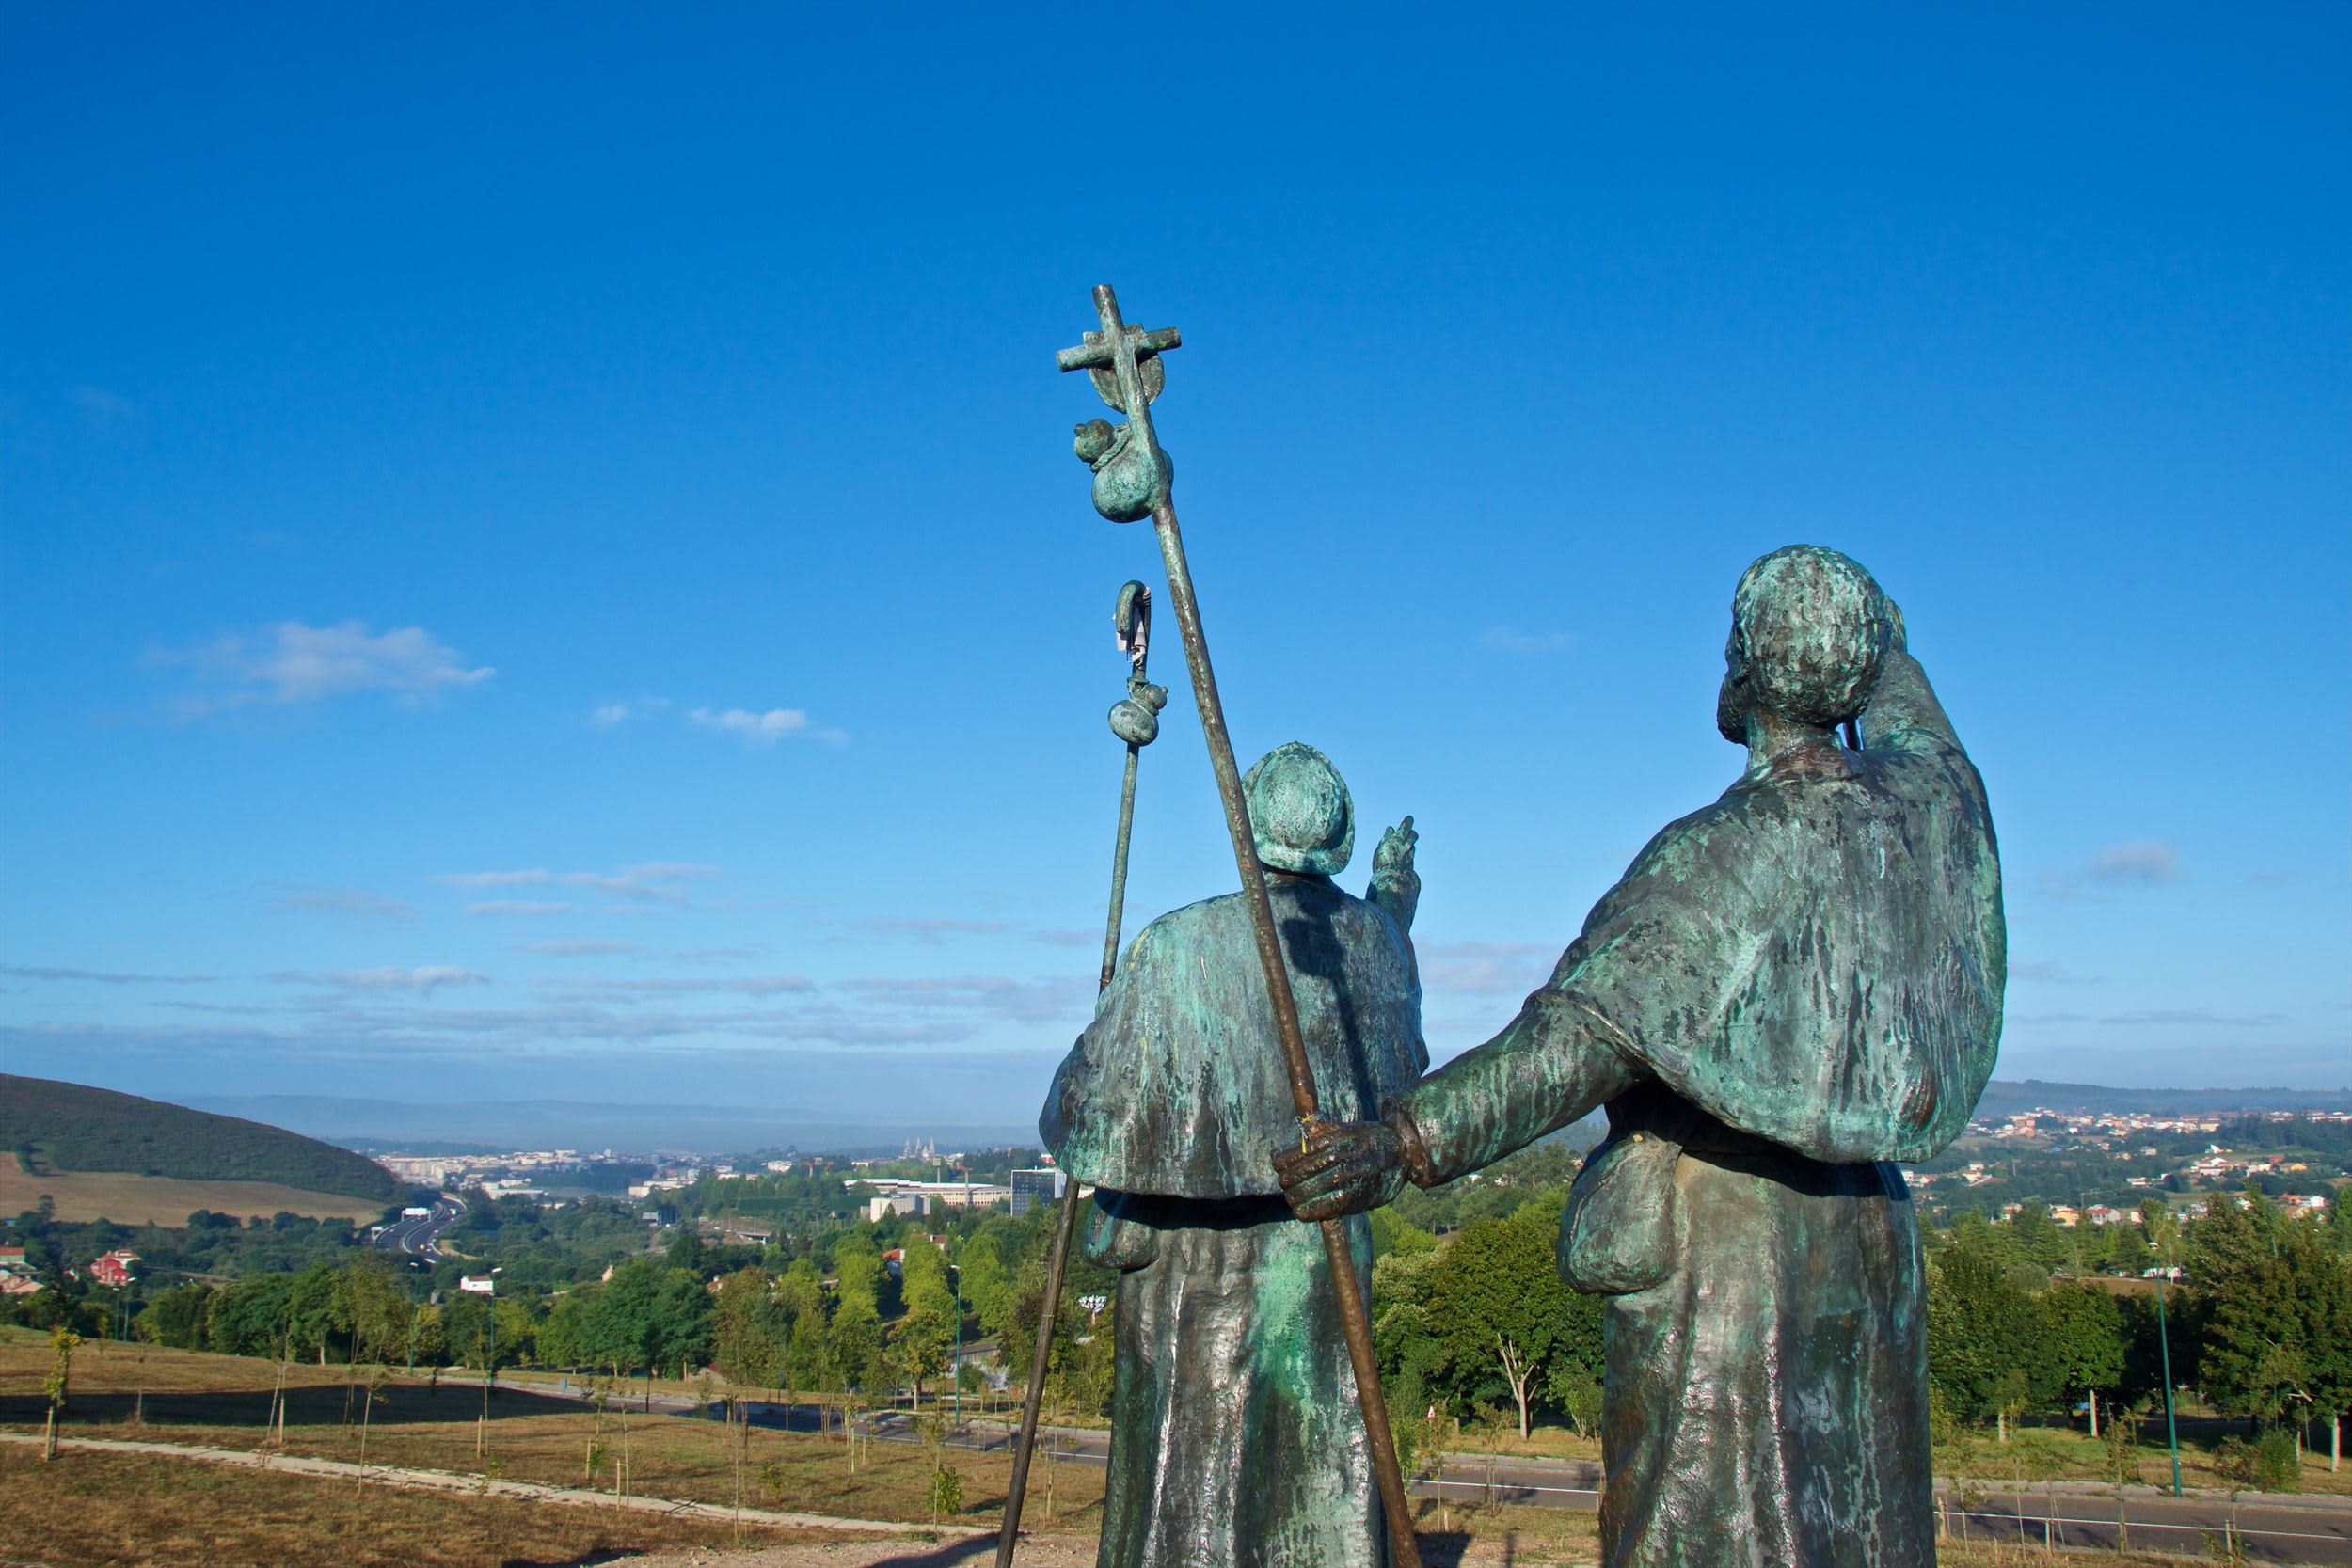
(540,551)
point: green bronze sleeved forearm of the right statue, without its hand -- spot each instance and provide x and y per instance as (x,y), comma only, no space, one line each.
(1551,1066)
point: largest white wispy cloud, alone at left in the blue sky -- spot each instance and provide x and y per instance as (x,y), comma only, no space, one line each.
(307,664)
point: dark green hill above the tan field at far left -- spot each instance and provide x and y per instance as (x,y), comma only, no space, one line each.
(69,1127)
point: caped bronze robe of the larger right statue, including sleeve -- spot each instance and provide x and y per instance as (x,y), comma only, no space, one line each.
(1786,993)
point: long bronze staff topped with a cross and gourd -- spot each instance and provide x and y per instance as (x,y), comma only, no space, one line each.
(1132,478)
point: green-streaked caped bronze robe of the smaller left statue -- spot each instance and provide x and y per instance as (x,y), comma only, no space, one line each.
(1236,1433)
